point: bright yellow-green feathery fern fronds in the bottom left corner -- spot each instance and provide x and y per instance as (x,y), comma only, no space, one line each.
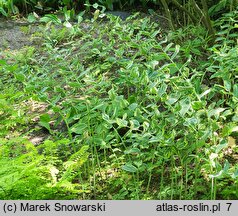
(27,174)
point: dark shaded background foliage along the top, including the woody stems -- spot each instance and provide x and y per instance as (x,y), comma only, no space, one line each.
(184,13)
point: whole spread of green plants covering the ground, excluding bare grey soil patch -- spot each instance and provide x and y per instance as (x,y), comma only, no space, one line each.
(121,109)
